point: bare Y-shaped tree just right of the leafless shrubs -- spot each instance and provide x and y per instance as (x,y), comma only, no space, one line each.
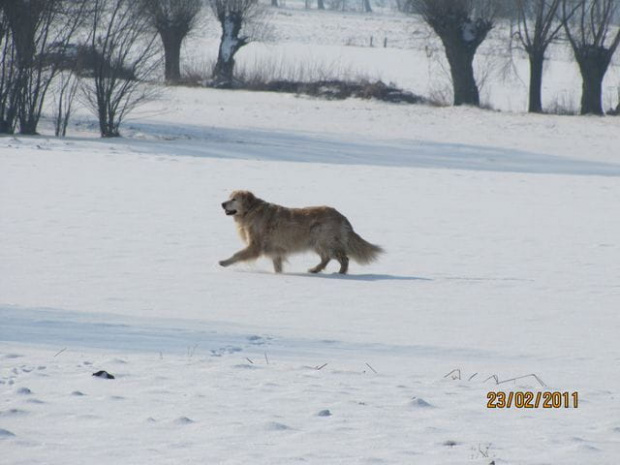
(173,20)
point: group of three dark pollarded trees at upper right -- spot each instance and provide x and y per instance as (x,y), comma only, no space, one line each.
(589,25)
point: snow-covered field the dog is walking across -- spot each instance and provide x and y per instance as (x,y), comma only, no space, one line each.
(503,261)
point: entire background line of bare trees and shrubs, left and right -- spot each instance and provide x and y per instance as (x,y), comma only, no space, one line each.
(116,48)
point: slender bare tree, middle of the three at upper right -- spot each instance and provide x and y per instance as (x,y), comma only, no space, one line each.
(538,26)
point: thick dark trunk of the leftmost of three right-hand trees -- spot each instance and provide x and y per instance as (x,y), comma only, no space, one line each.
(461,61)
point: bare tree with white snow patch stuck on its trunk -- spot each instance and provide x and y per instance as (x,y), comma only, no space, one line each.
(235,17)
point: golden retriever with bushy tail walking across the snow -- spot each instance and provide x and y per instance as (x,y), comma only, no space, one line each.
(276,232)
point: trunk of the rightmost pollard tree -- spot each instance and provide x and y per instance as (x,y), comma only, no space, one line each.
(593,63)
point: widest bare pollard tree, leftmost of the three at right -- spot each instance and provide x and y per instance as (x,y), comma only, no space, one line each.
(462,25)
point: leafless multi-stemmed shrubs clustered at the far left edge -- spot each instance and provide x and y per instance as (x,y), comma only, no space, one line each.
(37,45)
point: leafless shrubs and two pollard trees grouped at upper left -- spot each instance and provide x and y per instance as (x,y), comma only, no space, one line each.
(112,43)
